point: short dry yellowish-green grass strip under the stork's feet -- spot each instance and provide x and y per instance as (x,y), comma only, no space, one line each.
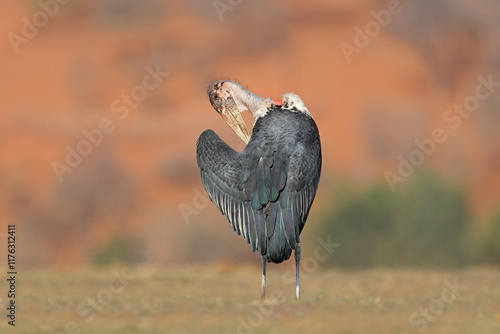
(220,298)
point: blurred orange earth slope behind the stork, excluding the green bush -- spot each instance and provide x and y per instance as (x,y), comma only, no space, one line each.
(142,183)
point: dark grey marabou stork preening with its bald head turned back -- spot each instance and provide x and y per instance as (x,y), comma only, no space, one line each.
(265,191)
